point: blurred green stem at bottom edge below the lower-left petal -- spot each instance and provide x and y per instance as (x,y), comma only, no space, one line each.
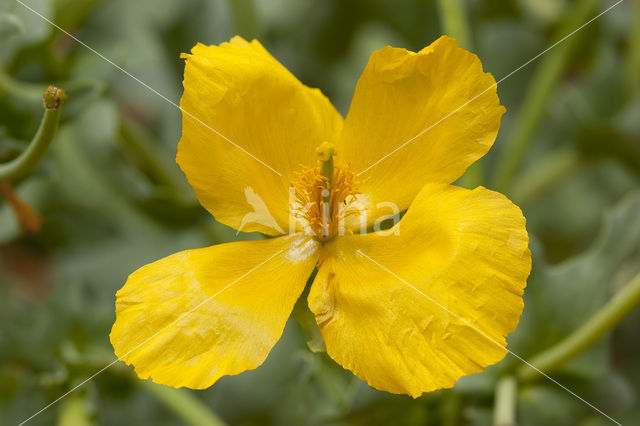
(184,404)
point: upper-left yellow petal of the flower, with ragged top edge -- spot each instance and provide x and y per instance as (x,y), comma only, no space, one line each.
(272,123)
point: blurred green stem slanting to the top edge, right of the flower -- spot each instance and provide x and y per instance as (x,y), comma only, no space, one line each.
(546,76)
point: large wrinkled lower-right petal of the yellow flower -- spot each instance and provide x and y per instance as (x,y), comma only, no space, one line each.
(413,312)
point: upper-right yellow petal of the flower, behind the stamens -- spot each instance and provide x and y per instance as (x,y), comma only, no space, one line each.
(401,94)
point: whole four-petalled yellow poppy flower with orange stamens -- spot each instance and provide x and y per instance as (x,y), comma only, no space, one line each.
(409,310)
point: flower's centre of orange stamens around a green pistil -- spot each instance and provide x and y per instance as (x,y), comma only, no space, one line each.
(323,195)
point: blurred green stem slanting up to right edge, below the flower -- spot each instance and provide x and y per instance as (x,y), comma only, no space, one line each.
(588,334)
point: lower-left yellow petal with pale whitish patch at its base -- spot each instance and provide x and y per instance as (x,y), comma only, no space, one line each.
(192,317)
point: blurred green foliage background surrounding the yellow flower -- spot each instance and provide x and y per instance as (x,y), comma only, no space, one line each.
(111,199)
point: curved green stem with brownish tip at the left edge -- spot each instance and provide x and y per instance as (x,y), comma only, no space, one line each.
(25,162)
